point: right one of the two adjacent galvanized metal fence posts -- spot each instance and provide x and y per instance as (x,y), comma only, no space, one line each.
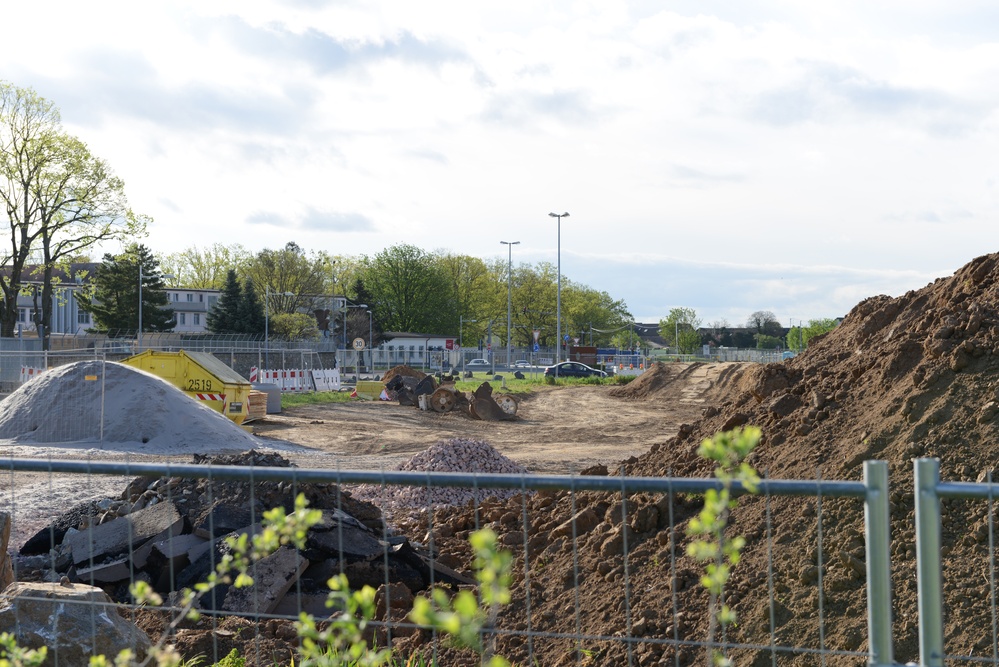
(929,578)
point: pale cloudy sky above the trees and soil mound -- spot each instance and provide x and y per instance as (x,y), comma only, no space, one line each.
(729,157)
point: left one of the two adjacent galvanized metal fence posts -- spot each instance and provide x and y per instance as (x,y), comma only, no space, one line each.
(877,534)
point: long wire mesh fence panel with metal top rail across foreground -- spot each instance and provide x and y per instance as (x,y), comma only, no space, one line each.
(610,584)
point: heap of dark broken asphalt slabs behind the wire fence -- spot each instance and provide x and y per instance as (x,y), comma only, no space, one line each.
(170,532)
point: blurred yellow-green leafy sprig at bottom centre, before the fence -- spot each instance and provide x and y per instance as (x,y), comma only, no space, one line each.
(462,617)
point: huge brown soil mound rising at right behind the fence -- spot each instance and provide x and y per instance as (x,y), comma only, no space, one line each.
(900,378)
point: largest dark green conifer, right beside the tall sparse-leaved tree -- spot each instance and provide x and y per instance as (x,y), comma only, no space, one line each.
(114,302)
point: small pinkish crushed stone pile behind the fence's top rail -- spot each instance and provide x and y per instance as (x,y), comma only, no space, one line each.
(453,455)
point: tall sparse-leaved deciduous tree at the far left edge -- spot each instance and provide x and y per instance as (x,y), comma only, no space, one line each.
(56,195)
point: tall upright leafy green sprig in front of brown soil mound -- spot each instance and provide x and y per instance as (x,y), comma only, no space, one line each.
(720,552)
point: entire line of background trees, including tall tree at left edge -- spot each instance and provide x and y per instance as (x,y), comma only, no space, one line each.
(62,201)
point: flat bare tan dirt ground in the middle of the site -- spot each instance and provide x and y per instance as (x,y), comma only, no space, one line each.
(559,430)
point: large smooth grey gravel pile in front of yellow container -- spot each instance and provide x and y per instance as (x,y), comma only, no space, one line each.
(140,412)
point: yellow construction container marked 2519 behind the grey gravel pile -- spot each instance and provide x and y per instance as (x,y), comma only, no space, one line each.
(202,377)
